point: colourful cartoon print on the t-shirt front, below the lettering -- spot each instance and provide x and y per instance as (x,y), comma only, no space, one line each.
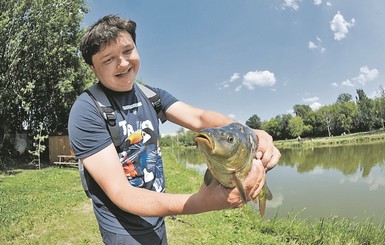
(140,160)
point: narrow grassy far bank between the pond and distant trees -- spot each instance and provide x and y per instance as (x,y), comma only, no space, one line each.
(348,139)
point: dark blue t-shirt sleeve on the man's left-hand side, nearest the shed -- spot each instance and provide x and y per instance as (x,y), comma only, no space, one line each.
(87,129)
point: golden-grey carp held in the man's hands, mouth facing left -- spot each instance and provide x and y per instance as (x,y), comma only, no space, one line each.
(229,152)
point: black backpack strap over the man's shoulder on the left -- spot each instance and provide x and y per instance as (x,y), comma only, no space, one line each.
(107,110)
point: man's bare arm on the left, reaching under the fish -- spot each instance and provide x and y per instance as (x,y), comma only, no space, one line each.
(106,170)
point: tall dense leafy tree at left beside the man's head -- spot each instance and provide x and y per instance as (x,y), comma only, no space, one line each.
(41,71)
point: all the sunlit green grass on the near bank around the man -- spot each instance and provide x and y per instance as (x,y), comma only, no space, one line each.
(49,207)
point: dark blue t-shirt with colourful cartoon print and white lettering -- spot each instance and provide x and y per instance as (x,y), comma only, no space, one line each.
(140,154)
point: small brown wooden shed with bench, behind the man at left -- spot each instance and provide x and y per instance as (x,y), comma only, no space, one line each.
(60,151)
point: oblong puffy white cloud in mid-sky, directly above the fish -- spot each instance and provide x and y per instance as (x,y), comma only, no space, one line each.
(258,78)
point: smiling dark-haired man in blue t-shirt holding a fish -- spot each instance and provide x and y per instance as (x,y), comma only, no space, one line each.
(127,183)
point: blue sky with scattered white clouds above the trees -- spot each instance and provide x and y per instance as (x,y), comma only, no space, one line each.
(256,57)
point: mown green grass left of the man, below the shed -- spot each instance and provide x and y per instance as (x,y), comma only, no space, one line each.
(45,207)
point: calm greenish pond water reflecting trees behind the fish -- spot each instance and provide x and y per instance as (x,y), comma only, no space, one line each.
(345,181)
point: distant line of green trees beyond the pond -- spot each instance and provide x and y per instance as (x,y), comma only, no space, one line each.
(344,116)
